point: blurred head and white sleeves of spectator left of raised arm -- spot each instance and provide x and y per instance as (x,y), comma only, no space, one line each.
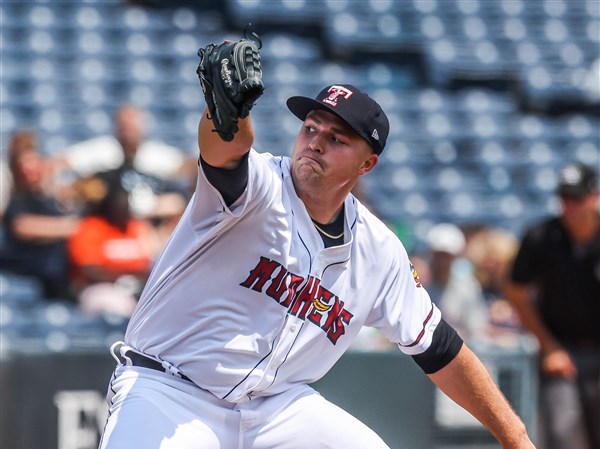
(129,147)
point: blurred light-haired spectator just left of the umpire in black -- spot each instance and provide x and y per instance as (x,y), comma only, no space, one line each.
(491,252)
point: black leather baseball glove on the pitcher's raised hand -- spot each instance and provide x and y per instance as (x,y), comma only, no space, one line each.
(231,77)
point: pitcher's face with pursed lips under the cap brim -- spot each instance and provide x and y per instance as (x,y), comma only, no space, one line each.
(329,154)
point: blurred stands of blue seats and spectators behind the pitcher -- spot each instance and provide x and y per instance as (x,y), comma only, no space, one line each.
(488,100)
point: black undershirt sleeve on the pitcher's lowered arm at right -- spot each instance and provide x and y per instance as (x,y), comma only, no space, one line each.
(445,345)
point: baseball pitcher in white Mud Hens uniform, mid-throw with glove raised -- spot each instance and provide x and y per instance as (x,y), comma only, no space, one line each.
(272,271)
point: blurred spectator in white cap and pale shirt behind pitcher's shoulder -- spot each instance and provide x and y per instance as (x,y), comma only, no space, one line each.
(450,282)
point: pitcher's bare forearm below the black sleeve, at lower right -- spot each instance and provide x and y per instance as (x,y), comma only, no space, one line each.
(467,382)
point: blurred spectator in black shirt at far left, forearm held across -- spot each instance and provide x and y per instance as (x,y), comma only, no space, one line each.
(36,224)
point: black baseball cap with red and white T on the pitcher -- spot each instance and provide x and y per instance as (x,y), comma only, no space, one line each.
(357,109)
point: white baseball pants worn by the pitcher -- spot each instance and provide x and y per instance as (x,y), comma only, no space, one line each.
(154,410)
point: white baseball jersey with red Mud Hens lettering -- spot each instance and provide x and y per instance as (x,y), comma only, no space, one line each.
(246,301)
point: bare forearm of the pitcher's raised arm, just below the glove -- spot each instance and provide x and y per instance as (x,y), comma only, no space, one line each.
(218,153)
